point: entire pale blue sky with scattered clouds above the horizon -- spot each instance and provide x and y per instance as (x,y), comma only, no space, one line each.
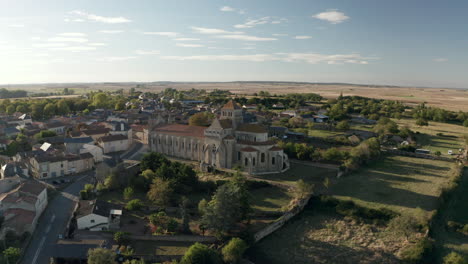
(398,42)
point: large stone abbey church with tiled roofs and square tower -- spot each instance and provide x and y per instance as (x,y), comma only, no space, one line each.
(226,143)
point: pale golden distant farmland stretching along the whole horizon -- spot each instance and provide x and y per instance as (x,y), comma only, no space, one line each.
(452,99)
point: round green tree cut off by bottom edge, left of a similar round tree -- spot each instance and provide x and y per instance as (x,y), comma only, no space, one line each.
(200,254)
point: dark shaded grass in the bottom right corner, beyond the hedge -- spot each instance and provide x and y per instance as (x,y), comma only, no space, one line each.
(456,210)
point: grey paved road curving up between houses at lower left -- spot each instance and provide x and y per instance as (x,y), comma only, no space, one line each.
(53,222)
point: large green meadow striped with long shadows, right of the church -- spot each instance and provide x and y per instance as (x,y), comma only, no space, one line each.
(402,184)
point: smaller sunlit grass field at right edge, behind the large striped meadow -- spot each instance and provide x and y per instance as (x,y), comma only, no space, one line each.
(451,138)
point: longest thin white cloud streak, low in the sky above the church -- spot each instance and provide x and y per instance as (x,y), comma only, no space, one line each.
(312,58)
